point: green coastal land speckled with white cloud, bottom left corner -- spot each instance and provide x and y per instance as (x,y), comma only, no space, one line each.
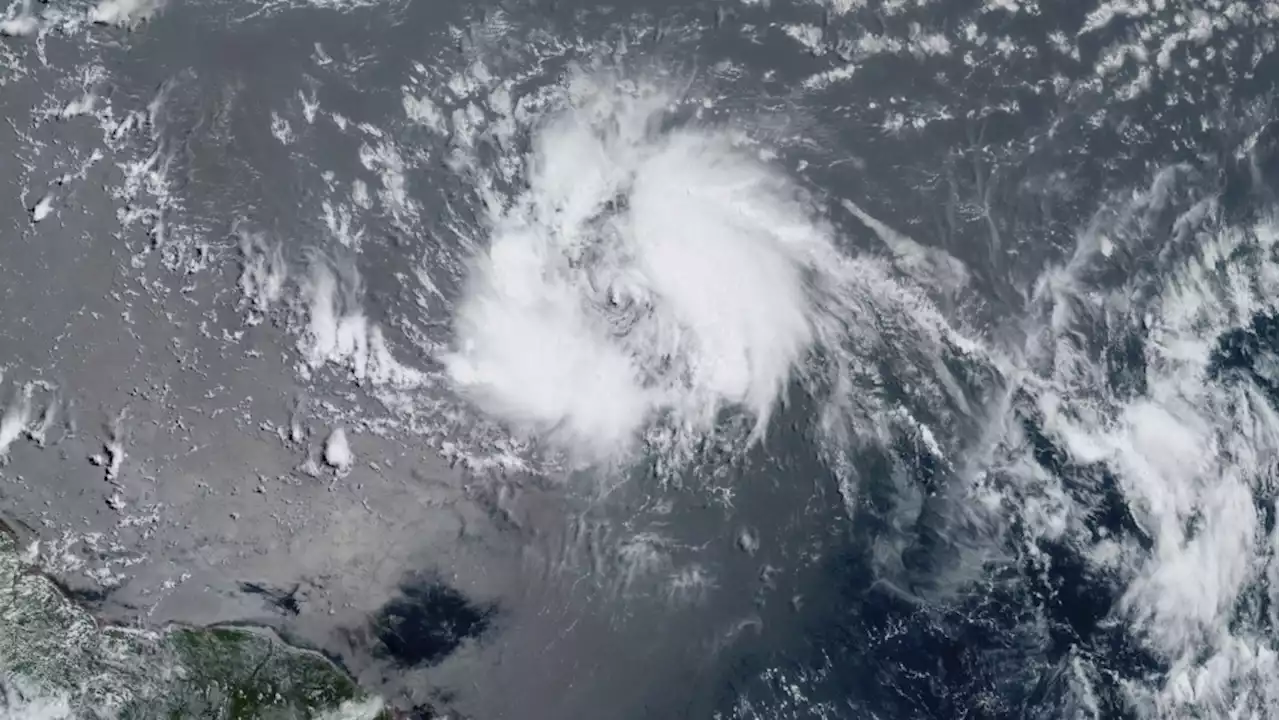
(60,663)
